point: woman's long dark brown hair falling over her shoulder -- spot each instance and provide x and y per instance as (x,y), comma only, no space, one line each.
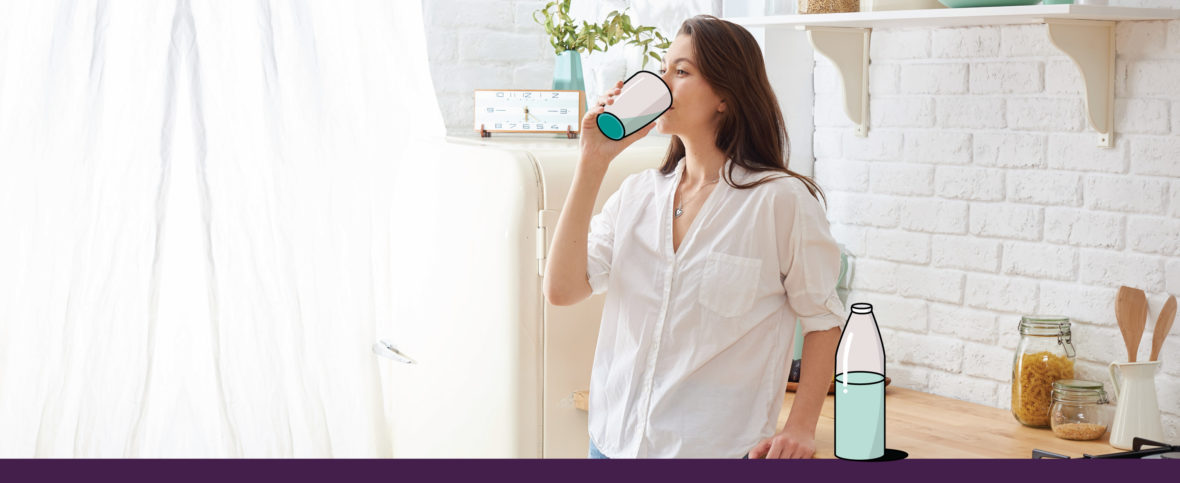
(751,132)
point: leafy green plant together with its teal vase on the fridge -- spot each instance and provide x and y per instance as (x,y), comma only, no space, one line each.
(572,40)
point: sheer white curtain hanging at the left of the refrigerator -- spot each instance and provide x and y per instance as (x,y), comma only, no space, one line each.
(199,244)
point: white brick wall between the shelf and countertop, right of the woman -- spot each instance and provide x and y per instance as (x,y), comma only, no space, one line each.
(1024,214)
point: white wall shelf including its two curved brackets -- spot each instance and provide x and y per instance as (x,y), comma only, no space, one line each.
(1084,32)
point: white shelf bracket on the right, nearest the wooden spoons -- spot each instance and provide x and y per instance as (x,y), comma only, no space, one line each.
(1091,45)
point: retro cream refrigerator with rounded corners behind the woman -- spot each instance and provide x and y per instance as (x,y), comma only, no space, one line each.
(476,363)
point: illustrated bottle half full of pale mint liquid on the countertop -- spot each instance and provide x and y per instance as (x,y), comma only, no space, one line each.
(861,388)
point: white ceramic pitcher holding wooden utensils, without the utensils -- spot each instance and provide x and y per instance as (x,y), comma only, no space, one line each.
(1138,413)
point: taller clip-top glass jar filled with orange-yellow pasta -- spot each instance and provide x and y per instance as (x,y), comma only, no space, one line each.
(1044,356)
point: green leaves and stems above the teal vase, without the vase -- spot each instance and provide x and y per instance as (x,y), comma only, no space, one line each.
(566,35)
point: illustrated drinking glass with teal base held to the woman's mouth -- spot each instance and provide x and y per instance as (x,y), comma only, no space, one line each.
(644,97)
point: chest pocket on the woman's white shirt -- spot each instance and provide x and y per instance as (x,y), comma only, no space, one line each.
(729,284)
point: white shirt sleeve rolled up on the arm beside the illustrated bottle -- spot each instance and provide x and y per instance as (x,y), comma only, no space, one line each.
(809,260)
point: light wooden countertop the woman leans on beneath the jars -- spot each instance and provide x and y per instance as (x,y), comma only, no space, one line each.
(935,427)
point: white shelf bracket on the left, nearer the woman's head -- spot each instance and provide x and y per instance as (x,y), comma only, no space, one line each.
(848,48)
